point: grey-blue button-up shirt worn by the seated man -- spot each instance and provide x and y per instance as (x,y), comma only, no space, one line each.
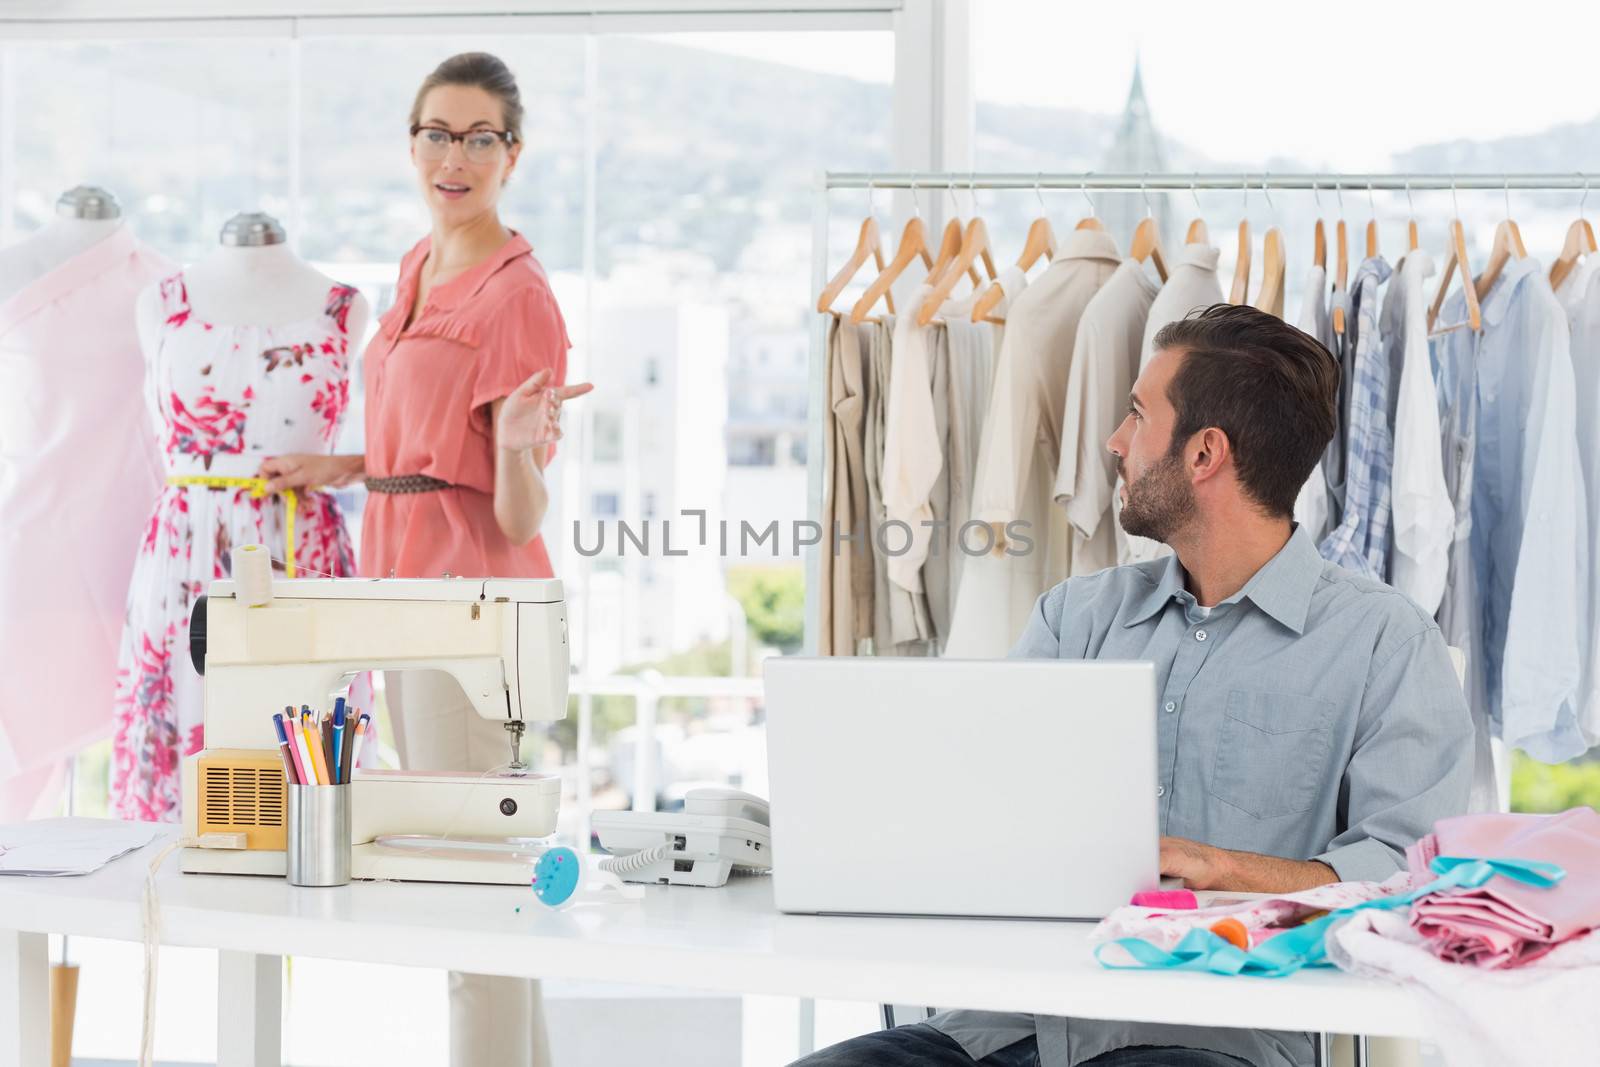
(1311,716)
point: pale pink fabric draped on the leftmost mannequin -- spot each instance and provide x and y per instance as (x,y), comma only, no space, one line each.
(79,471)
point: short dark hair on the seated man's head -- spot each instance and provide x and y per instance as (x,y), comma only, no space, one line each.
(1266,385)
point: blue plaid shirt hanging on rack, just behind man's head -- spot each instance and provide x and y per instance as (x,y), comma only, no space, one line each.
(1361,541)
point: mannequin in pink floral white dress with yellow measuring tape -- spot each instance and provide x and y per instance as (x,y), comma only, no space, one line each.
(247,356)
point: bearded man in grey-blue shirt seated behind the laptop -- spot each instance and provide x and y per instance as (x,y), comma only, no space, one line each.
(1311,725)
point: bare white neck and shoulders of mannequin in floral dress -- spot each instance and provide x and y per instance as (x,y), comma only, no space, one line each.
(252,281)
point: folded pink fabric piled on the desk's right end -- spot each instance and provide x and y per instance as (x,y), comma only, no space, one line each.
(1506,924)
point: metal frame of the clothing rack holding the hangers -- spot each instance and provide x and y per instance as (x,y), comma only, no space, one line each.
(1086,182)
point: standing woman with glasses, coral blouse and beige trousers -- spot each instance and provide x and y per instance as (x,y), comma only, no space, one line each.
(465,385)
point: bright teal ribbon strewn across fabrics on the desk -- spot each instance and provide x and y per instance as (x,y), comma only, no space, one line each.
(1306,946)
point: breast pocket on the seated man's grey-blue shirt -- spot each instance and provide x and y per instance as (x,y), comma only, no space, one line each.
(1273,753)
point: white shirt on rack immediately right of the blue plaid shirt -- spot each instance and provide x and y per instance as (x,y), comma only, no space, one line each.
(1425,518)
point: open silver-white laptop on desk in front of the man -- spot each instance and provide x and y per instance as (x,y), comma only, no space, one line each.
(961,788)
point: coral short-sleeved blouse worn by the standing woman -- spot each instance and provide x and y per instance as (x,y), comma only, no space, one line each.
(430,388)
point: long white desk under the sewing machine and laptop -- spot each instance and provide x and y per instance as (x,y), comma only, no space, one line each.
(708,940)
